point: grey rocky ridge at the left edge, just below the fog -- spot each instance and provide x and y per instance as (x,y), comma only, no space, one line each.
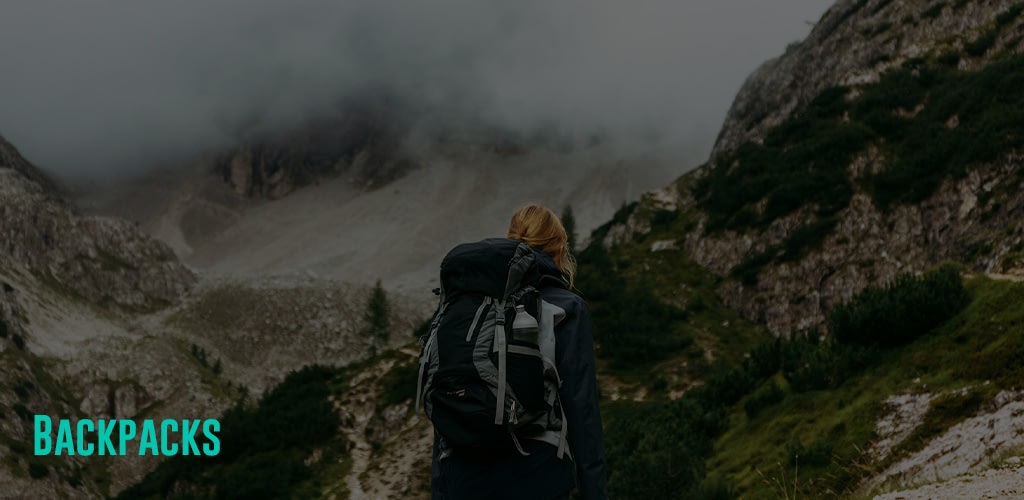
(106,261)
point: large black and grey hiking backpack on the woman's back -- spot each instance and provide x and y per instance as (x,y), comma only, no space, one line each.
(488,376)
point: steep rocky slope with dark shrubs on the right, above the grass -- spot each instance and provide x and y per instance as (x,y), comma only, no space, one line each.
(883,144)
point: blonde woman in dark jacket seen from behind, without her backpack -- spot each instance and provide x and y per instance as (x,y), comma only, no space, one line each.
(541,474)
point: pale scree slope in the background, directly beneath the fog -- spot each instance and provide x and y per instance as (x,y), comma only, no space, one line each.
(399,232)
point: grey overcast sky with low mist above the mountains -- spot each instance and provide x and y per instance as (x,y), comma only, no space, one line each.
(111,87)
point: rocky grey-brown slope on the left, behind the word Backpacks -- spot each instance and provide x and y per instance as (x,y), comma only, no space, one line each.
(102,321)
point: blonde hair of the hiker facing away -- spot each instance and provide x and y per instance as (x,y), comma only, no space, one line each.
(541,229)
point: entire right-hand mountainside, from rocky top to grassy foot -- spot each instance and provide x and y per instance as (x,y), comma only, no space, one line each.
(864,204)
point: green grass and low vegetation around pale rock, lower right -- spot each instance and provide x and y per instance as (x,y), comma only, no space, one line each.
(819,431)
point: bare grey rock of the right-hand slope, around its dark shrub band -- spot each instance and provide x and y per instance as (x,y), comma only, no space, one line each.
(975,220)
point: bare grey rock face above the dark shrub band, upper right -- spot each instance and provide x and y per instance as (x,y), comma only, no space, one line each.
(854,44)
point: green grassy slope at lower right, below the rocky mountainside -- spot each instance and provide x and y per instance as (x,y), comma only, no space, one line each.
(982,345)
